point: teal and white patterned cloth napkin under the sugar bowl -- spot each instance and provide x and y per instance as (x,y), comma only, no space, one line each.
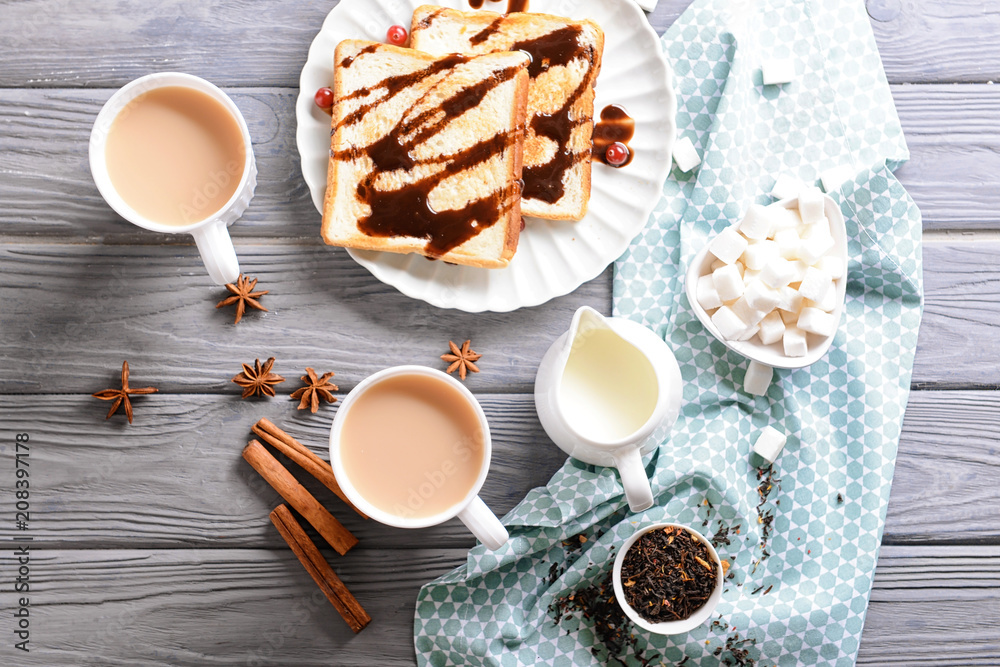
(803,554)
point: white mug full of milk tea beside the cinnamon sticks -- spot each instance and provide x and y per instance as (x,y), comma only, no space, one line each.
(410,447)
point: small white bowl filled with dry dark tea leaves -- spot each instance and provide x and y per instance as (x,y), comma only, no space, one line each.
(668,578)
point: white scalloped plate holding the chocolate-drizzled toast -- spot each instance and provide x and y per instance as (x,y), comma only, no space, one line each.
(553,258)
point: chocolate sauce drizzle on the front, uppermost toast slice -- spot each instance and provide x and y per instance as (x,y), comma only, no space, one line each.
(406,211)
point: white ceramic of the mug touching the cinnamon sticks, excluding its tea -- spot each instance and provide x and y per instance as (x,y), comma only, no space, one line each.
(471,510)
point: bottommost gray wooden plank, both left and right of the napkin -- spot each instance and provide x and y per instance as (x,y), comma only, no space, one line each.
(180,607)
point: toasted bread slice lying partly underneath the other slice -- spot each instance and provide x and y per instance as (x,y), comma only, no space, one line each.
(566,59)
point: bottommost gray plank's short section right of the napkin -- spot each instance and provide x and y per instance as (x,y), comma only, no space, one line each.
(934,605)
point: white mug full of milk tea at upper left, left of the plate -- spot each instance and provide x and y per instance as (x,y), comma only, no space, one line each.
(171,153)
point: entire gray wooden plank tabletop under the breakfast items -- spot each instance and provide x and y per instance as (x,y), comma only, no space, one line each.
(151,542)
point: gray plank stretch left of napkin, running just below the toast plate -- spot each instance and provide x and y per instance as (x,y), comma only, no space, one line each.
(155,305)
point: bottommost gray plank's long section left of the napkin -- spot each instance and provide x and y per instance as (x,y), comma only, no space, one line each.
(217,607)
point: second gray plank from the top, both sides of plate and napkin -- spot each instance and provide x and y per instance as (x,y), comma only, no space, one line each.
(47,189)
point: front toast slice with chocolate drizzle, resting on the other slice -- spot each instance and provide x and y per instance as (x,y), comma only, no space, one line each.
(425,153)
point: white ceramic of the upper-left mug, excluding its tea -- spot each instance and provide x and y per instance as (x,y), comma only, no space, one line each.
(211,234)
